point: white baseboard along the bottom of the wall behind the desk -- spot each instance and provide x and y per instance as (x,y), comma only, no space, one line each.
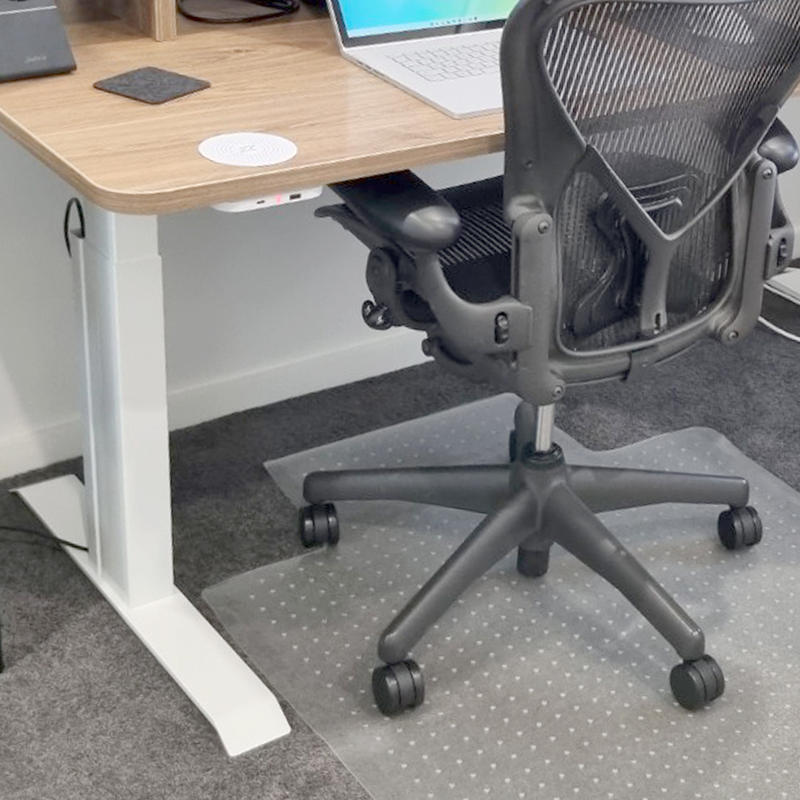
(38,447)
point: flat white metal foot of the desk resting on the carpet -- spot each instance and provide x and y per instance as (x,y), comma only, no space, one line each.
(243,711)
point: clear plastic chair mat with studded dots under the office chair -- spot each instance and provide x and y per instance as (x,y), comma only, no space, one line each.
(536,689)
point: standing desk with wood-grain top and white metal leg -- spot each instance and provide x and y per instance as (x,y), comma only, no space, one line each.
(131,162)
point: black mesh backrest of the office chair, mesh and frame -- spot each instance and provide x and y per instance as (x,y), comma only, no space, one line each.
(631,123)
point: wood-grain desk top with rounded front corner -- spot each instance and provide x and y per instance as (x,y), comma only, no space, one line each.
(137,158)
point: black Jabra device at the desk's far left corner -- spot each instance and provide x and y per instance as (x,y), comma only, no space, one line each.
(33,41)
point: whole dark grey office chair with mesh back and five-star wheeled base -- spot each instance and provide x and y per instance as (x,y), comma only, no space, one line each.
(638,214)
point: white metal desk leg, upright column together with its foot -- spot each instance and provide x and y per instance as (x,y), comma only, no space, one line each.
(123,514)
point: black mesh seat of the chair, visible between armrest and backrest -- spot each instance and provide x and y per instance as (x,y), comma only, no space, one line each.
(478,265)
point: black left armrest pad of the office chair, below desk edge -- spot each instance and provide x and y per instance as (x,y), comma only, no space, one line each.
(402,208)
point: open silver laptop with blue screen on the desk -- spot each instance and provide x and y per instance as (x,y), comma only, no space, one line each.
(446,52)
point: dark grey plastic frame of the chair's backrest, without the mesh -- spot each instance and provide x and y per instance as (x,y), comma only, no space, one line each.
(544,150)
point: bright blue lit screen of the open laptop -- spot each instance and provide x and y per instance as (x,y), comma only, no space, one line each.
(369,22)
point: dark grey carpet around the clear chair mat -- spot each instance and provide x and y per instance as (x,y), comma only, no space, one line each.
(86,713)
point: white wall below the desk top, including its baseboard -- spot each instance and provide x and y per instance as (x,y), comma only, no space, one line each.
(259,307)
